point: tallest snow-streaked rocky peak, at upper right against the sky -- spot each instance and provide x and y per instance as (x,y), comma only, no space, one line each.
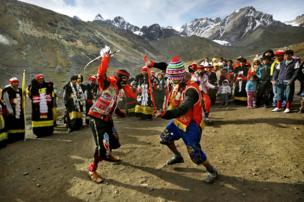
(232,28)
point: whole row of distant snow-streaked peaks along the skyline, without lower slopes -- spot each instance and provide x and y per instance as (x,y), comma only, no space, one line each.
(228,31)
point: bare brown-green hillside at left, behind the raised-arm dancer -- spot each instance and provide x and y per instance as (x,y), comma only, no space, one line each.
(40,40)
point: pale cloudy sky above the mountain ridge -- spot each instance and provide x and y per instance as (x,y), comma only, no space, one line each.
(168,12)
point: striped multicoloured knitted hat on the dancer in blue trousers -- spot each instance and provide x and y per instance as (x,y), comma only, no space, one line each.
(176,69)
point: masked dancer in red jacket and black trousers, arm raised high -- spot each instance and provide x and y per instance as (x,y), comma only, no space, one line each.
(105,136)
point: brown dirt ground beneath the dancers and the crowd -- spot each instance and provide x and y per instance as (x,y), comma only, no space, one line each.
(258,153)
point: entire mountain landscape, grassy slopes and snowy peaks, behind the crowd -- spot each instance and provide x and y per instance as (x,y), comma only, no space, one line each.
(40,40)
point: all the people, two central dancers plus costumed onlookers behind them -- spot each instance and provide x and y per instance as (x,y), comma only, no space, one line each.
(173,91)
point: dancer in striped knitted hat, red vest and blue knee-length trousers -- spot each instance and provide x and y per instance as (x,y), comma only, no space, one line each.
(183,107)
